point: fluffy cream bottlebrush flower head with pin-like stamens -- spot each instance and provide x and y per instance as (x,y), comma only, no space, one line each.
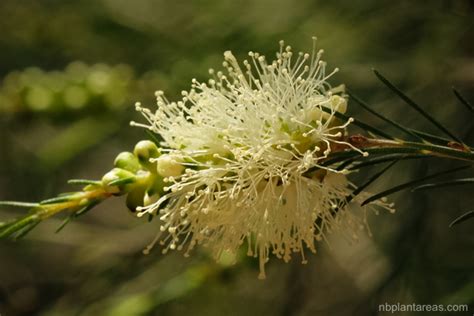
(245,153)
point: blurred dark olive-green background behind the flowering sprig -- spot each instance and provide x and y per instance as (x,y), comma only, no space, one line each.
(70,73)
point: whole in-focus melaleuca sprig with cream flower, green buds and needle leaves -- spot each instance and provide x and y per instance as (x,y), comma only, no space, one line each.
(260,157)
